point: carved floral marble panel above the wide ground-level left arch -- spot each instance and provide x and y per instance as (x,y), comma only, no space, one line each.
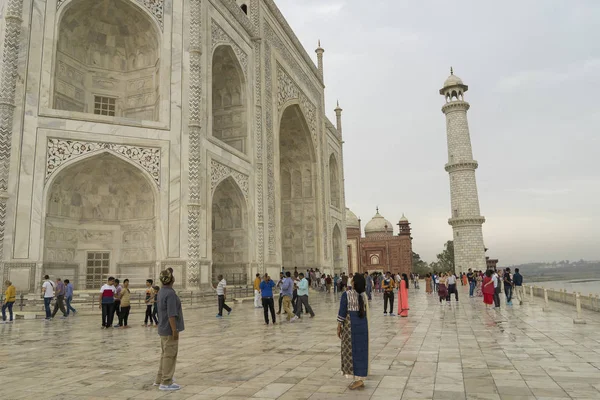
(60,151)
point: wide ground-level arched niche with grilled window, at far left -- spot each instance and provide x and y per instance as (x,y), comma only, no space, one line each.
(100,220)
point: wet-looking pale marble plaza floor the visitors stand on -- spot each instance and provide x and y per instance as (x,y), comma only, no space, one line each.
(457,351)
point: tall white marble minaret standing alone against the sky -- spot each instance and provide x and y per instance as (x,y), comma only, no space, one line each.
(466,220)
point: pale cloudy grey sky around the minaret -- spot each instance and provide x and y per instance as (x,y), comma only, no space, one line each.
(533,69)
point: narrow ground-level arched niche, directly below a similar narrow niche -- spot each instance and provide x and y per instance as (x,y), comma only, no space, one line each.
(230,232)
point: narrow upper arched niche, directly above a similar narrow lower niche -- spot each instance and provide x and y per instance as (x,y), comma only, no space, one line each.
(228,99)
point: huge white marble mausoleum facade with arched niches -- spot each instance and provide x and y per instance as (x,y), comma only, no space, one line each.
(142,134)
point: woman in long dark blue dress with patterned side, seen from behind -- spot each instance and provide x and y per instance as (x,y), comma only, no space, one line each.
(353,330)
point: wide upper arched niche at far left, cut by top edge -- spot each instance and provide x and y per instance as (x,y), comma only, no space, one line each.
(107,60)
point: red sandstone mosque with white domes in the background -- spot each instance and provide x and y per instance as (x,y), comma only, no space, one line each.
(379,249)
